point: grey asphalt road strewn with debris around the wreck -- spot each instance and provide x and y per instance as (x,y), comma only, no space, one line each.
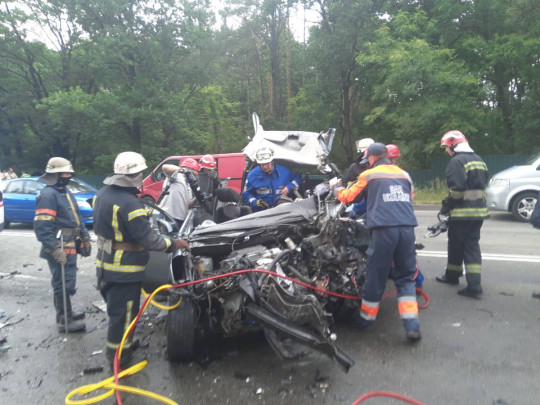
(472,351)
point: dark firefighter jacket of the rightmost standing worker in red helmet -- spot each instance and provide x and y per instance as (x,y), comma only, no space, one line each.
(467,177)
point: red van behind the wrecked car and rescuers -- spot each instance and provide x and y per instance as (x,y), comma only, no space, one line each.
(230,167)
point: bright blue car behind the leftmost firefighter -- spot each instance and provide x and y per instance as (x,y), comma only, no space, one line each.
(20,199)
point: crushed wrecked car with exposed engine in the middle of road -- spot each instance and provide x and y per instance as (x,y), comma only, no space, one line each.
(291,271)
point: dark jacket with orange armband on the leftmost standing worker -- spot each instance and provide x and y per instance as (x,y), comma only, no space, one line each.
(57,209)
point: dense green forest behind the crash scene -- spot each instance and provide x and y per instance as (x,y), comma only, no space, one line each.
(167,77)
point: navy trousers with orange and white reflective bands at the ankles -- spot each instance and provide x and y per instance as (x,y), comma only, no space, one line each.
(386,245)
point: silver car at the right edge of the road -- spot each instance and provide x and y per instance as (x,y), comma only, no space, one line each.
(516,189)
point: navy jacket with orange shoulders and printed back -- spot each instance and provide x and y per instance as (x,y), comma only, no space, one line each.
(389,195)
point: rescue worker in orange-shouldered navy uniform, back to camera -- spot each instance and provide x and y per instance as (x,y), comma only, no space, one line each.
(391,219)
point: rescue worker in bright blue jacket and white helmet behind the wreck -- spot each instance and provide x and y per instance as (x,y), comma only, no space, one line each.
(268,182)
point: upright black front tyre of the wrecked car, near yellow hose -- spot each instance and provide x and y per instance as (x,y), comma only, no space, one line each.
(181,331)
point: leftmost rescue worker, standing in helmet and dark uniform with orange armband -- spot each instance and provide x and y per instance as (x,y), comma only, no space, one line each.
(59,227)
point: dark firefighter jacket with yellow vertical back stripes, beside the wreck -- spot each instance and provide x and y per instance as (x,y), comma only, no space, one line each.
(124,235)
